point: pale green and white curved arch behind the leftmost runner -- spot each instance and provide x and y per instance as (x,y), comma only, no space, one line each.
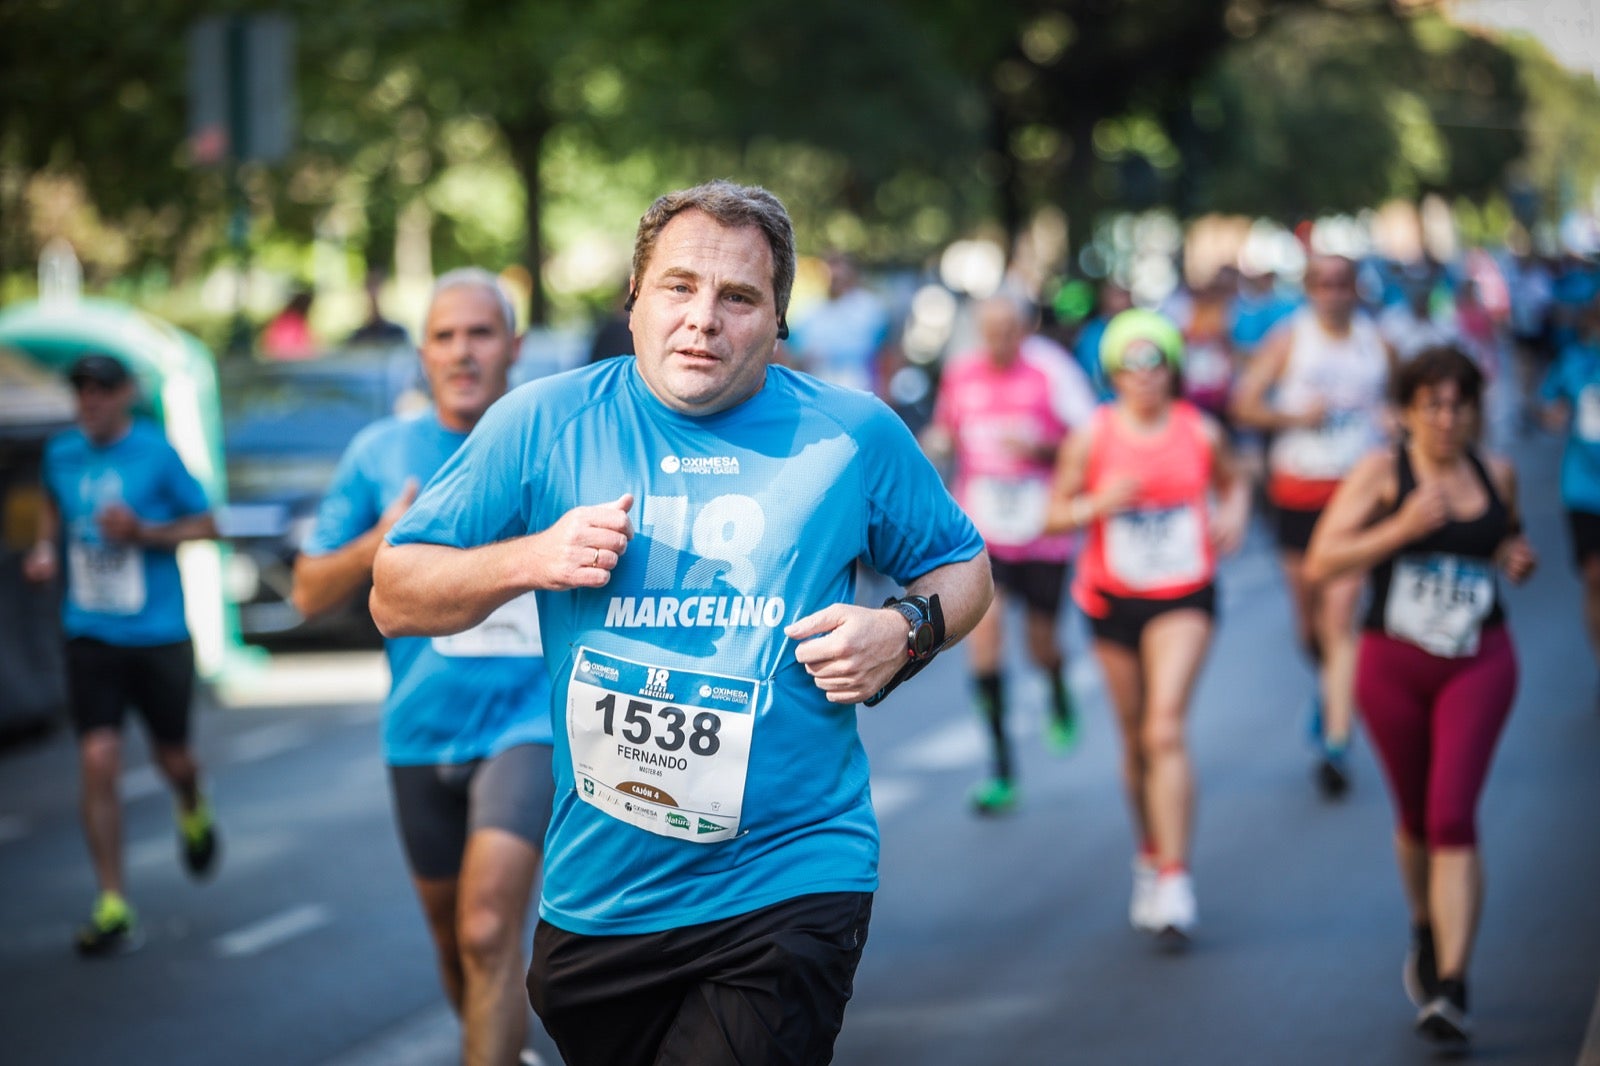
(178,387)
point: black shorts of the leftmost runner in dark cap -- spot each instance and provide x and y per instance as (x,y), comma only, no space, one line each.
(158,681)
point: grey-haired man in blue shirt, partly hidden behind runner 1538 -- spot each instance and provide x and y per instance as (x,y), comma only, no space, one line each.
(468,719)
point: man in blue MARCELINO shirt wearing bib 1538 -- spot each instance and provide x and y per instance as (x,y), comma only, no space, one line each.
(713,851)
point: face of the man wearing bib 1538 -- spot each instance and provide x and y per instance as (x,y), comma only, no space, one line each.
(706,319)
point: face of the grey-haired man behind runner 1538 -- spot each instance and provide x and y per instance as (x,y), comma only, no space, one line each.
(466,355)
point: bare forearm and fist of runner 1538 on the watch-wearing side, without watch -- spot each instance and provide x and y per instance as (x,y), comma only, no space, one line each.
(852,652)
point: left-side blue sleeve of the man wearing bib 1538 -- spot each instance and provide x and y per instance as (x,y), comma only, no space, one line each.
(481,495)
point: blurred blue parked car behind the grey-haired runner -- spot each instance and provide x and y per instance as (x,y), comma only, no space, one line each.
(284,430)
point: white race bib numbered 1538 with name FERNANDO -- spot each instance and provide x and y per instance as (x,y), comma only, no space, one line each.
(662,750)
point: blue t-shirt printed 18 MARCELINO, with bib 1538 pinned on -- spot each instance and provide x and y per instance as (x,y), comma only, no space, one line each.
(700,774)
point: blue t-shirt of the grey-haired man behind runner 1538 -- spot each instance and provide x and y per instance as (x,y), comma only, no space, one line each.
(455,699)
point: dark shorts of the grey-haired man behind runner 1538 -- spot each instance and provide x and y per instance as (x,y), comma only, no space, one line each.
(438,808)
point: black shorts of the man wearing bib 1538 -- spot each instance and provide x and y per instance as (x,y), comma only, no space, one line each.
(769,987)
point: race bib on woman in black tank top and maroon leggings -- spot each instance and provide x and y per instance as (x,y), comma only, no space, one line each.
(1439,603)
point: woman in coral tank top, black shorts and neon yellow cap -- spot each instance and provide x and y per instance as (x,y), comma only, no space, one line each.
(1140,481)
